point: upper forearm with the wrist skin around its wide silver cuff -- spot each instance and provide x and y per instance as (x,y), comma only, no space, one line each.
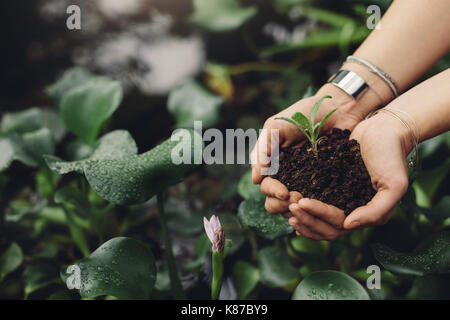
(413,36)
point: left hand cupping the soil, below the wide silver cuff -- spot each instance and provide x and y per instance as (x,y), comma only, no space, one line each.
(347,116)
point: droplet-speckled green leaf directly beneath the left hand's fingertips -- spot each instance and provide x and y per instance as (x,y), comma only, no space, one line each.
(253,215)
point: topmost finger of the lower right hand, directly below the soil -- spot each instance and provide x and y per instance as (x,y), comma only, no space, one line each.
(323,211)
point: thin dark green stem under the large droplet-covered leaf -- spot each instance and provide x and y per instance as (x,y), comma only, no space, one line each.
(175,283)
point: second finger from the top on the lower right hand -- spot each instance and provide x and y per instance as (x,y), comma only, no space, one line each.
(314,224)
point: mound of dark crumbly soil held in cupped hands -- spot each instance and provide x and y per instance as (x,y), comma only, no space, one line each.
(337,176)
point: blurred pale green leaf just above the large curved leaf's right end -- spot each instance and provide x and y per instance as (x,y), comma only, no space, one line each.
(190,102)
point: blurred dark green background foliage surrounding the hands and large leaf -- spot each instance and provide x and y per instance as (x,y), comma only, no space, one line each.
(230,64)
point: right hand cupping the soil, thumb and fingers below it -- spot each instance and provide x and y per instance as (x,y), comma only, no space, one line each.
(384,143)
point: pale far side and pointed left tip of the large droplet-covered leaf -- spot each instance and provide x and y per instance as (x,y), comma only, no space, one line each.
(114,145)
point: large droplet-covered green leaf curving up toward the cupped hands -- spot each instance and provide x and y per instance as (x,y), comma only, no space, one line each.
(136,179)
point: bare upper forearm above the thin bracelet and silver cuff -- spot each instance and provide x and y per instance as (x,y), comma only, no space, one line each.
(414,35)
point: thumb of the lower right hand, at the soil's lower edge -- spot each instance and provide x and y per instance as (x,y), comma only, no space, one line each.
(376,212)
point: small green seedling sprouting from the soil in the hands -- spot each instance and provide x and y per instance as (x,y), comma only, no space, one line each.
(308,127)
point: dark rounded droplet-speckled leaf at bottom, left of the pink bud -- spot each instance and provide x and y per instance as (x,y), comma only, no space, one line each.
(121,267)
